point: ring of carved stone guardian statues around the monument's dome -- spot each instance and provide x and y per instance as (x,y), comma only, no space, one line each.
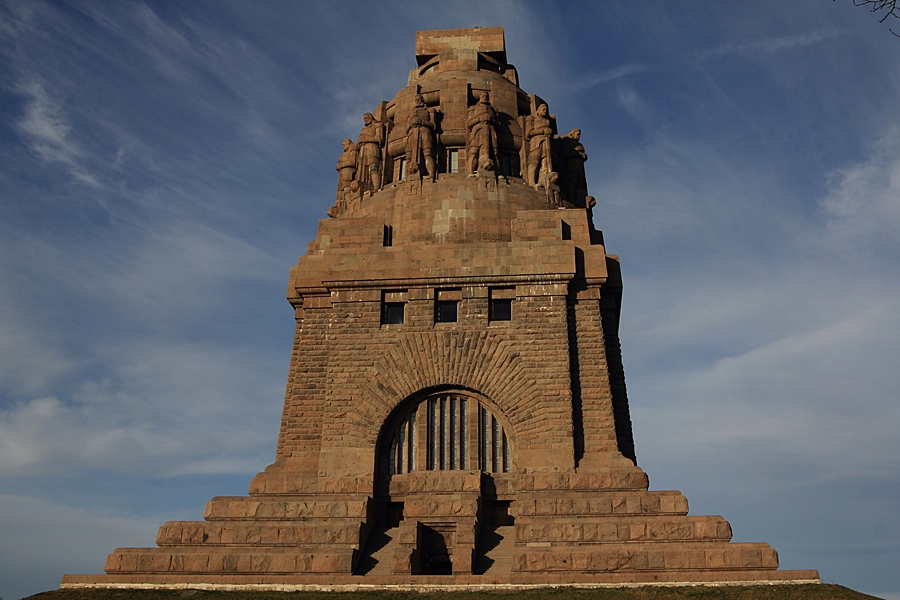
(552,163)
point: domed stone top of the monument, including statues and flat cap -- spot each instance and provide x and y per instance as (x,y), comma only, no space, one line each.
(462,133)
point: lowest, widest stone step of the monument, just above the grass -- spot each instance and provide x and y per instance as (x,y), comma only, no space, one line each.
(434,583)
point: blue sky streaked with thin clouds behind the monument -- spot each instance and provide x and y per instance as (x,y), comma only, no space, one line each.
(162,165)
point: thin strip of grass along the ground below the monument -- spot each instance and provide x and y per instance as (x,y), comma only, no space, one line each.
(758,592)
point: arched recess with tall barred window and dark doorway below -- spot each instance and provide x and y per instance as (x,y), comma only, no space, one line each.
(442,459)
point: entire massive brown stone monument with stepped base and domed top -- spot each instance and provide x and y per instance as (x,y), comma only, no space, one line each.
(455,410)
